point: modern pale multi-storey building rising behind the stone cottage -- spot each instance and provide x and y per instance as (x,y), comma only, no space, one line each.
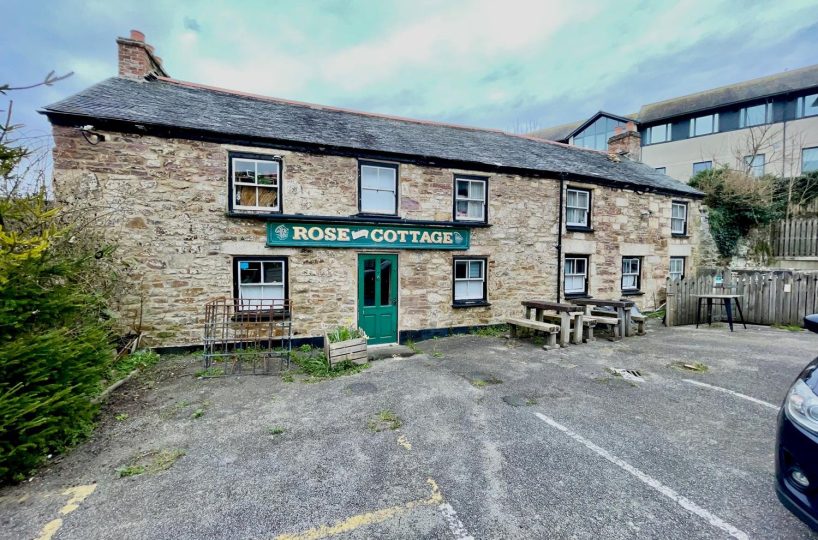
(765,126)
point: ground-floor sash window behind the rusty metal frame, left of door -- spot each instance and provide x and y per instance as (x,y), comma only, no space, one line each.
(259,281)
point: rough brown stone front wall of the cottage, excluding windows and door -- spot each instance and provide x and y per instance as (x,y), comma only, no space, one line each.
(164,201)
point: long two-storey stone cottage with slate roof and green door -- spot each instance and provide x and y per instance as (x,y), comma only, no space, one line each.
(402,226)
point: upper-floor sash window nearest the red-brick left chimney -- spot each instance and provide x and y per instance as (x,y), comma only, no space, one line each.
(255,183)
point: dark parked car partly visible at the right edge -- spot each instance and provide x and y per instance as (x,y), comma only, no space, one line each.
(796,457)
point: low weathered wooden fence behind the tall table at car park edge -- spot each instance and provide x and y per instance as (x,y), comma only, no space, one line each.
(766,297)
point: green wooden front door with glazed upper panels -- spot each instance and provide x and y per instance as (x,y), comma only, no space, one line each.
(378,297)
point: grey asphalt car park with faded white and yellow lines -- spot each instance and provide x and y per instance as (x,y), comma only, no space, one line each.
(482,437)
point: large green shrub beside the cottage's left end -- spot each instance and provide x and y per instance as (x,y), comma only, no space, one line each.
(55,345)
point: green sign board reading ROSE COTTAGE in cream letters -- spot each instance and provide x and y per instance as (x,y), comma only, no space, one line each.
(365,236)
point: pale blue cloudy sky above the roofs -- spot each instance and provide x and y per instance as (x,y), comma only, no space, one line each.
(505,64)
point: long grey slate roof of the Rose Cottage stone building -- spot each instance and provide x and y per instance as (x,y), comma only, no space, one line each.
(175,104)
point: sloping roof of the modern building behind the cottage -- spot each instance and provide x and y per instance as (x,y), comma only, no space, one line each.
(780,83)
